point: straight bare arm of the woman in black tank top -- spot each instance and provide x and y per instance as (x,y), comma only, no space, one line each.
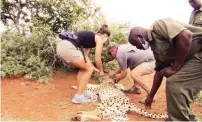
(98,53)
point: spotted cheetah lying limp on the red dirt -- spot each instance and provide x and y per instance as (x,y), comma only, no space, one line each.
(114,104)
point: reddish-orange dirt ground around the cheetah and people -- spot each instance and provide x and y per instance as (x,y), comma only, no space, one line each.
(25,100)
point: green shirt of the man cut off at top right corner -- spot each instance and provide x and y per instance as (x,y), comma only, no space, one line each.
(196,18)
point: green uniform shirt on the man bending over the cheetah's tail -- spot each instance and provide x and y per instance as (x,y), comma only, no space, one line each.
(161,40)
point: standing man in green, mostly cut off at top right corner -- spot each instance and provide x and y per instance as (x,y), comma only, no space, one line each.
(196,15)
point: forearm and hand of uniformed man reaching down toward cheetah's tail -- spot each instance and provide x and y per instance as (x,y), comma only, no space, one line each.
(156,84)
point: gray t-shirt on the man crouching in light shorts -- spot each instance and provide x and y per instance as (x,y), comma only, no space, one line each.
(130,56)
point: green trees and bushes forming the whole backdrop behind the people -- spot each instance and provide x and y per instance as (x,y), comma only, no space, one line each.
(28,46)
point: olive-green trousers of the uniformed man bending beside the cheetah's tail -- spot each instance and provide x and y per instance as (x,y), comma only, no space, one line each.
(182,87)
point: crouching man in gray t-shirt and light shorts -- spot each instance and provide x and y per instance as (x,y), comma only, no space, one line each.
(140,62)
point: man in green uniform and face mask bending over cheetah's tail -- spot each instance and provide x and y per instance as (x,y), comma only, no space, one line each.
(177,48)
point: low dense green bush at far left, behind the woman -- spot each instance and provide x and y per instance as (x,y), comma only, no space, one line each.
(32,56)
